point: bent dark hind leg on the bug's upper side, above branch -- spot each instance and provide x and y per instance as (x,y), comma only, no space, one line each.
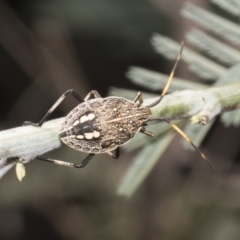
(55,105)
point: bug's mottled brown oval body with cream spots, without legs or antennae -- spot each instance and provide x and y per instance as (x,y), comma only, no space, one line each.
(101,125)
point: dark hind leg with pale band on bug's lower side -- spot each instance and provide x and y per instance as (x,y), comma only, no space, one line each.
(67,164)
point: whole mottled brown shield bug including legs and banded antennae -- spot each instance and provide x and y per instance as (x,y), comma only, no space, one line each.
(101,125)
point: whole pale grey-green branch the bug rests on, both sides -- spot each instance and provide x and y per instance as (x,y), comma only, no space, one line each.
(202,106)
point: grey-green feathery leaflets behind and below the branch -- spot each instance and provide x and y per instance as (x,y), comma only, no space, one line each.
(204,67)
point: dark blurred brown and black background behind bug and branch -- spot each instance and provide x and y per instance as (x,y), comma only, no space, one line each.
(47,47)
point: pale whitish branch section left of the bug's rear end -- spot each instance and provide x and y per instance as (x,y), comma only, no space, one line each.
(26,142)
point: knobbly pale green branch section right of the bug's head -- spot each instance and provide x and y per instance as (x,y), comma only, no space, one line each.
(202,105)
